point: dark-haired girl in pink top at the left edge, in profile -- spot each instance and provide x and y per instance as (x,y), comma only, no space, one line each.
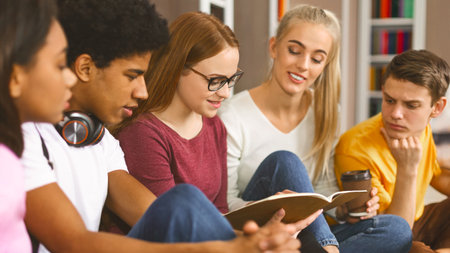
(35,86)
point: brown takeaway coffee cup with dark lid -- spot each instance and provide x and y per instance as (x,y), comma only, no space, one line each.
(357,180)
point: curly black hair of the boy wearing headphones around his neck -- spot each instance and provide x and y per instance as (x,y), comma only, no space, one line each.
(111,29)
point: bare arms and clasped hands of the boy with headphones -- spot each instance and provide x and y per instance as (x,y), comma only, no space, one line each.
(55,222)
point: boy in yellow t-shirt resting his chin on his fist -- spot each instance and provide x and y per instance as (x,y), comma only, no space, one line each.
(397,146)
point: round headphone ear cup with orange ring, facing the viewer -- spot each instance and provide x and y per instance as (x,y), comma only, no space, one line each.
(76,129)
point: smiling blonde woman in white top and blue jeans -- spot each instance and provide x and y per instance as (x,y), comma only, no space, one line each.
(292,115)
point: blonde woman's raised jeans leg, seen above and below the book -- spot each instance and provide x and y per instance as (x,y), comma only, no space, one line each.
(283,170)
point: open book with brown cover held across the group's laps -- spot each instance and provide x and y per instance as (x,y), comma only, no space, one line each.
(296,205)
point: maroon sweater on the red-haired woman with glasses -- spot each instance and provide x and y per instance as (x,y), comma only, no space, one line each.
(160,158)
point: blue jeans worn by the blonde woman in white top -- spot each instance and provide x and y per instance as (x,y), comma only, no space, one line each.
(283,170)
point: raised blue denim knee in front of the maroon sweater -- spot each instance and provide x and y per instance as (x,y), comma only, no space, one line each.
(182,214)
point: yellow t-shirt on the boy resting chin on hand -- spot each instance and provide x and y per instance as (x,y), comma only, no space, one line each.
(364,147)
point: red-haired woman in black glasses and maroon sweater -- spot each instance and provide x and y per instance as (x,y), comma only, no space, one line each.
(175,136)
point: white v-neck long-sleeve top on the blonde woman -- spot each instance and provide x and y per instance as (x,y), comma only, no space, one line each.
(252,137)
